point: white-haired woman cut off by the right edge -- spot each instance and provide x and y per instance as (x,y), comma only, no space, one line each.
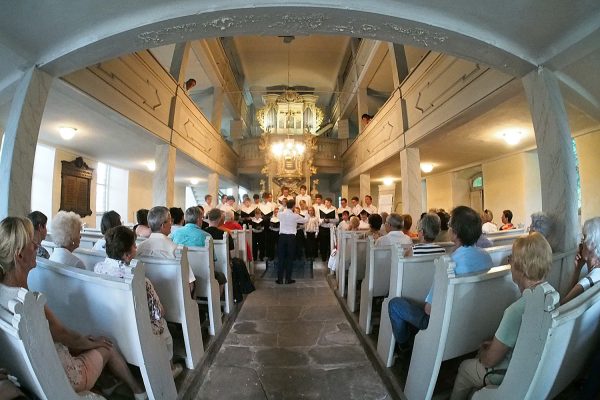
(587,255)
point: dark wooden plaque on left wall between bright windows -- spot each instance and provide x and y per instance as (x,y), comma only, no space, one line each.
(75,187)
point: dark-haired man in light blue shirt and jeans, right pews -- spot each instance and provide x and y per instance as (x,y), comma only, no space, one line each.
(466,229)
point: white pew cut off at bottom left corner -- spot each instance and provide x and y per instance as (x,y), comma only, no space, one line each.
(28,351)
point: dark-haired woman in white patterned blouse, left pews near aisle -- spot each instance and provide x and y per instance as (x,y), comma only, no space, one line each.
(121,249)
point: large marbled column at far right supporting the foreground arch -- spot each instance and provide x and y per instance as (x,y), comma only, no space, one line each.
(555,154)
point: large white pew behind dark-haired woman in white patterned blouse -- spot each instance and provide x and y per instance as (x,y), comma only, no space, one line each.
(109,306)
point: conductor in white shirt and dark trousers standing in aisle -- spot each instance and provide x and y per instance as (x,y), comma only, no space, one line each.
(286,245)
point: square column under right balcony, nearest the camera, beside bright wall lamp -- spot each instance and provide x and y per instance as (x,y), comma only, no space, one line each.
(410,168)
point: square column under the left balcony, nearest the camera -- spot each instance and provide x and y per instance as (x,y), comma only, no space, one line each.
(163,182)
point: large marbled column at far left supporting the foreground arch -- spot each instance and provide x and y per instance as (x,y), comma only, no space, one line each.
(20,139)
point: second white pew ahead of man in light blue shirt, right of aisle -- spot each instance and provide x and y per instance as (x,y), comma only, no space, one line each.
(376,282)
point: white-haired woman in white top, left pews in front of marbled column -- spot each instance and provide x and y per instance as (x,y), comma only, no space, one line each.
(66,235)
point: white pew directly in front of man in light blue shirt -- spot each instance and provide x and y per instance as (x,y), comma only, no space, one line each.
(411,278)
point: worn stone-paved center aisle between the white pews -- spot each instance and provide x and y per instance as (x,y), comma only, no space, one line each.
(290,342)
